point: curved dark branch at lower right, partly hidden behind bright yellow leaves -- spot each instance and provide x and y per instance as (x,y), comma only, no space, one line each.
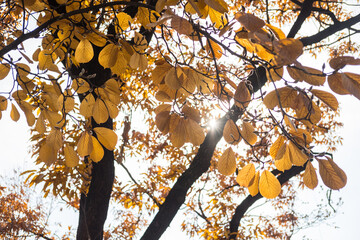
(250,200)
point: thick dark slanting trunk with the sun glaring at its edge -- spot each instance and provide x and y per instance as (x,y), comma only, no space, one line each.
(199,165)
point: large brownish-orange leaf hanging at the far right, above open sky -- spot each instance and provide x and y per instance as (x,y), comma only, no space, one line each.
(332,176)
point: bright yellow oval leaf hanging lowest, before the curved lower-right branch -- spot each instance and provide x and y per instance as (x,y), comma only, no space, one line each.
(269,185)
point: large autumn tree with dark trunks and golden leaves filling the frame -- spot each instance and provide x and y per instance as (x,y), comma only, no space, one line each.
(198,58)
